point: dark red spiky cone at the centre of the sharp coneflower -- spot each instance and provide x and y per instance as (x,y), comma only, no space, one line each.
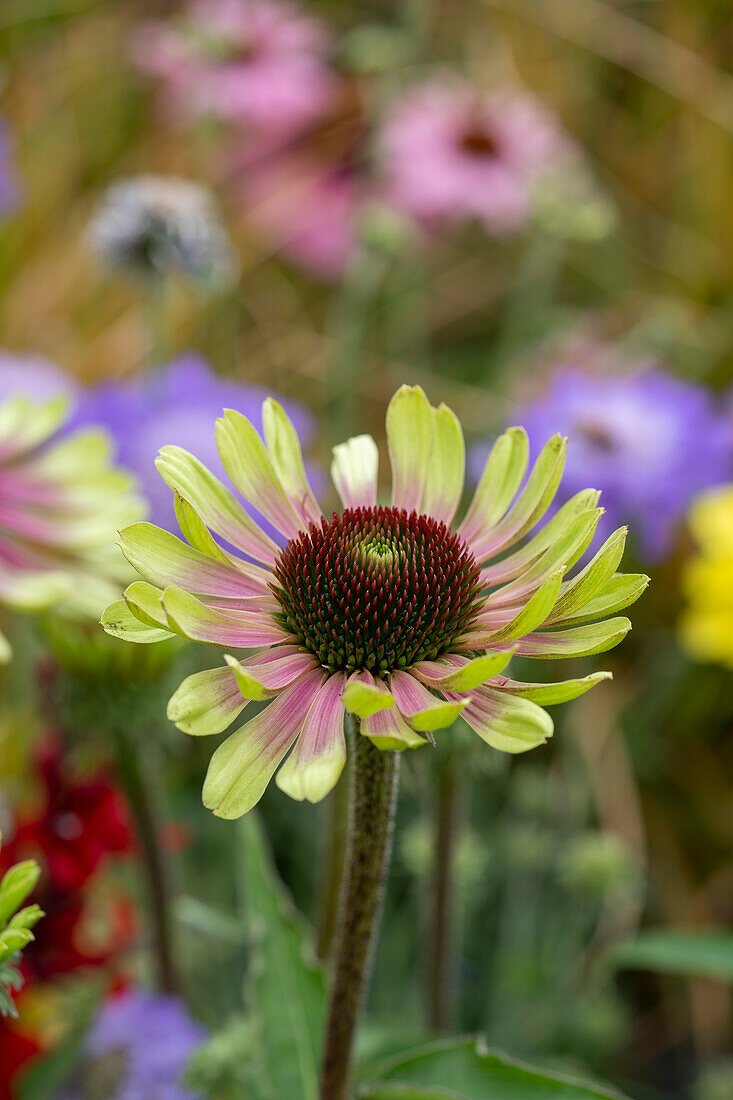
(377,589)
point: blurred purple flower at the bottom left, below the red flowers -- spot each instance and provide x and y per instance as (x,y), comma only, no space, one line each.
(138,1050)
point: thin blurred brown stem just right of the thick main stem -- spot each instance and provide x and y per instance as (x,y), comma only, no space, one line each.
(441,962)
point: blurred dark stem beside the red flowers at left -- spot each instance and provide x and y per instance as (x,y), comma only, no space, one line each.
(136,779)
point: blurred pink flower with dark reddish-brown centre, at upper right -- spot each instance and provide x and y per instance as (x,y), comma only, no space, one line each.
(451,155)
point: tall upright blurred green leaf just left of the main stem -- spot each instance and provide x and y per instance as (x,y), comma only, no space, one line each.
(286,988)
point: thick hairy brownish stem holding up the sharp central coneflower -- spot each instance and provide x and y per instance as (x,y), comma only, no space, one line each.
(371,820)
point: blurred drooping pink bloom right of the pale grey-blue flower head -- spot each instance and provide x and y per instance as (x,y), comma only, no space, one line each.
(304,210)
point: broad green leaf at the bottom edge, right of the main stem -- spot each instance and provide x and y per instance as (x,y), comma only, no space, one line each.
(466,1070)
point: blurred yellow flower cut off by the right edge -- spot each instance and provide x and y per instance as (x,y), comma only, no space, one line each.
(707,624)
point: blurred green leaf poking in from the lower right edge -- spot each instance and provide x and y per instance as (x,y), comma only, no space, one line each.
(697,954)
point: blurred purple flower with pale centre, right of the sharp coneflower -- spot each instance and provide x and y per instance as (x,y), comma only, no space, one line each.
(649,442)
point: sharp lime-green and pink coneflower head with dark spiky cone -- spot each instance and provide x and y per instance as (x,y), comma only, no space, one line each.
(392,613)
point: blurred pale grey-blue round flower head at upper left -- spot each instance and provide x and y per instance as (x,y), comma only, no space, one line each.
(158,225)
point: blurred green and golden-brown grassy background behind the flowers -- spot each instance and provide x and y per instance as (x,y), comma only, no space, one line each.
(623,822)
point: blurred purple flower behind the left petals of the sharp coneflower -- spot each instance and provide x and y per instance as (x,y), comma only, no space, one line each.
(177,405)
